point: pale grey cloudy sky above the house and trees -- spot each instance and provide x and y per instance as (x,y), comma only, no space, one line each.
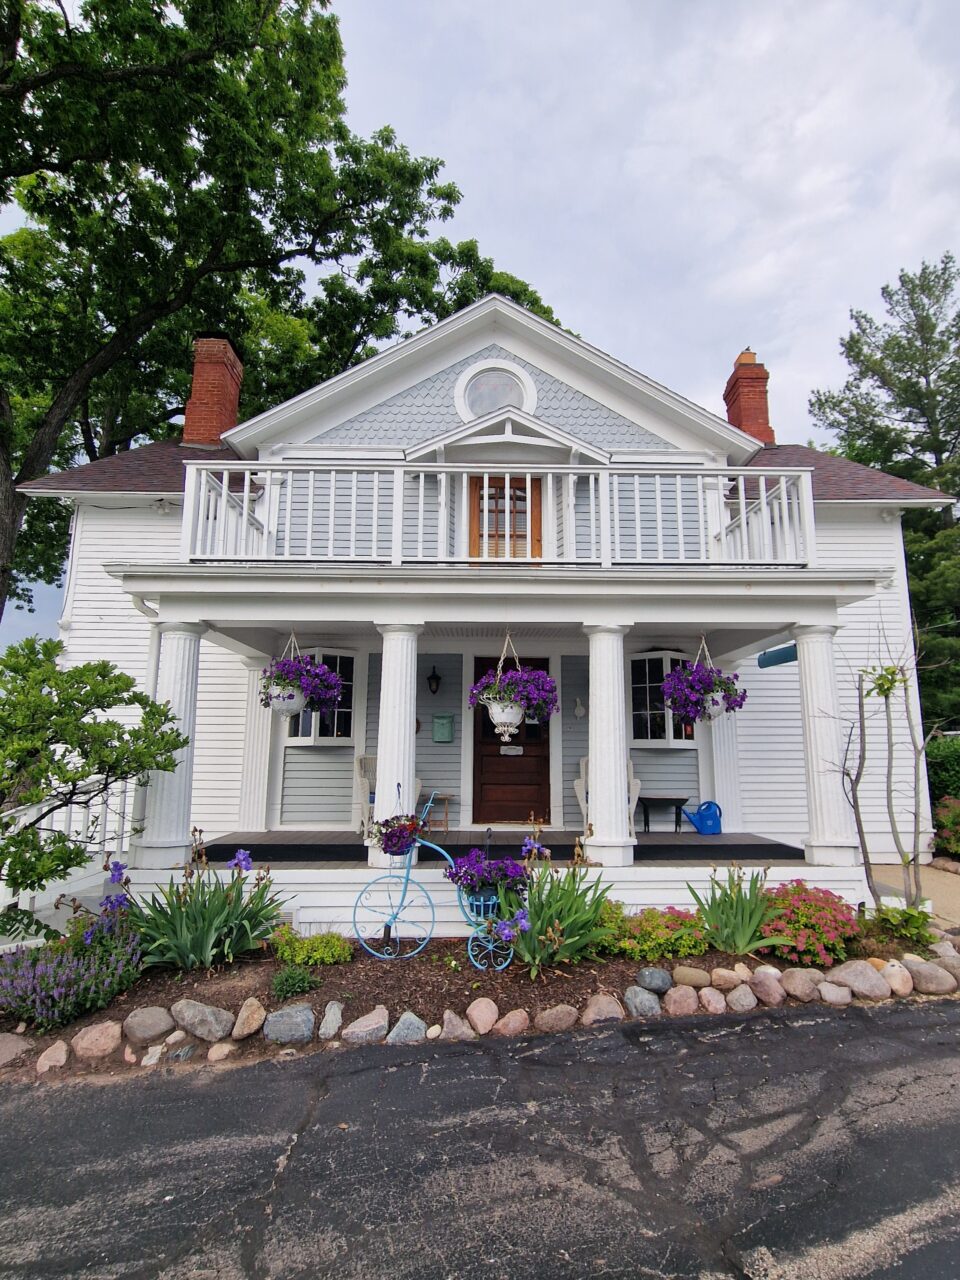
(679,179)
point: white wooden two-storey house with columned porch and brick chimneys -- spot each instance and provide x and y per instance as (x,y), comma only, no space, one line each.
(493,473)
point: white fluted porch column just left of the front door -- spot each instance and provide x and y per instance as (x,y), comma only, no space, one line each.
(396,740)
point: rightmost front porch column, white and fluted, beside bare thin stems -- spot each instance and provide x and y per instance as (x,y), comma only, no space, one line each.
(831,838)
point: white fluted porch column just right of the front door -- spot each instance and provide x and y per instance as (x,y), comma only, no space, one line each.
(607,779)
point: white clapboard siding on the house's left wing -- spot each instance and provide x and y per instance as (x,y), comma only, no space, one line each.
(100,621)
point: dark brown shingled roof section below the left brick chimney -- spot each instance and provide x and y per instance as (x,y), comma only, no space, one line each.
(153,469)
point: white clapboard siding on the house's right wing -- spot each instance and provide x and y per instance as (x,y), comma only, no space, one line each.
(874,632)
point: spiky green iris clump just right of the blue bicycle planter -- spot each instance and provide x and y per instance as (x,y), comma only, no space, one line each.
(565,911)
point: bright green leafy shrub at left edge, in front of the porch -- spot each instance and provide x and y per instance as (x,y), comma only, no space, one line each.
(65,744)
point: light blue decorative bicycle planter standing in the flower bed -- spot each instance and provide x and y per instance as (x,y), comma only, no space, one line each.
(395,916)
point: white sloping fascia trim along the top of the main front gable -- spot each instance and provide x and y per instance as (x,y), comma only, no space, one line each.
(510,319)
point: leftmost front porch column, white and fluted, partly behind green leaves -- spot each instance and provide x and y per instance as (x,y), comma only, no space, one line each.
(167,822)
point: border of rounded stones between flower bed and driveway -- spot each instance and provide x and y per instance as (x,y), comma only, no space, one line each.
(190,1028)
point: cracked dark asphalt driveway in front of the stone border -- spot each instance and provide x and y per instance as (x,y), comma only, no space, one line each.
(792,1146)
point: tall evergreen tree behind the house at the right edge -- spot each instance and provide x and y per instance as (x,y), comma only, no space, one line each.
(900,412)
